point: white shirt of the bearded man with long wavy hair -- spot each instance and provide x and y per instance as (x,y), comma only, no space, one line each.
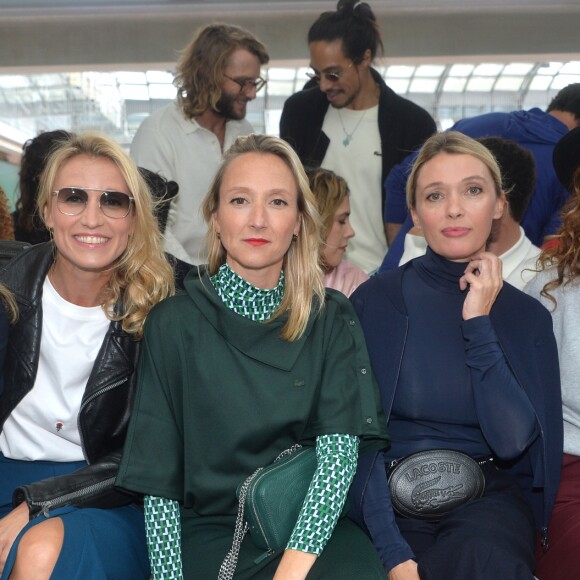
(183,151)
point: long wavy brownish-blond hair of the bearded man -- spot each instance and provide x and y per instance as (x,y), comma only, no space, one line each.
(201,65)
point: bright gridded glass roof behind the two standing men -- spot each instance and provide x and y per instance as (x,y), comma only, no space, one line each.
(117,102)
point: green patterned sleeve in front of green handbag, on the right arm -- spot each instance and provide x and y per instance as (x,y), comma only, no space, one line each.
(336,465)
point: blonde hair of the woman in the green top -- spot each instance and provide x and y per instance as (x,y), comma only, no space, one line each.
(302,271)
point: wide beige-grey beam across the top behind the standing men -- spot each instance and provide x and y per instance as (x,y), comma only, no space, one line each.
(64,34)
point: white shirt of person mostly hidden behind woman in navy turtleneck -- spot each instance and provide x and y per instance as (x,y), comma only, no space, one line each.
(518,263)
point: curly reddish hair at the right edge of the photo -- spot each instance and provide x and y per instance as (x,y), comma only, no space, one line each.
(564,251)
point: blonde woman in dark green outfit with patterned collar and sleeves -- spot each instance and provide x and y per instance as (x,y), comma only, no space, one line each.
(253,358)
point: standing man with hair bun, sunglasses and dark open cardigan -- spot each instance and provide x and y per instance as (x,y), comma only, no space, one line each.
(351,122)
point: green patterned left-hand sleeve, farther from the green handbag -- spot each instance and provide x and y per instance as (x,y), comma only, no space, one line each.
(163,529)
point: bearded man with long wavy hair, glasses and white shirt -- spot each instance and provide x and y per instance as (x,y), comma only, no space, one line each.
(218,73)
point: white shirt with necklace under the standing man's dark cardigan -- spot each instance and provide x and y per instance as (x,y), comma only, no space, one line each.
(354,153)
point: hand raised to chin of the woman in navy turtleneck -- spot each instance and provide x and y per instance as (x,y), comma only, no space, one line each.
(483,277)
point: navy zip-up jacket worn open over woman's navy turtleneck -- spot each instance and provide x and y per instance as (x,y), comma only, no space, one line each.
(524,331)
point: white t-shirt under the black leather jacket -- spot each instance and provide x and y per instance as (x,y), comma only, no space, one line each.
(43,426)
